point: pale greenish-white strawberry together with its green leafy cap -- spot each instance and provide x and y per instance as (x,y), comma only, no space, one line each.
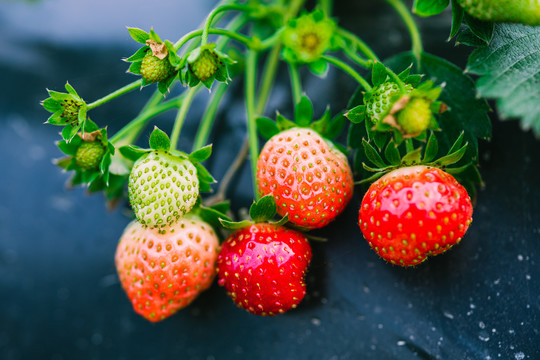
(164,184)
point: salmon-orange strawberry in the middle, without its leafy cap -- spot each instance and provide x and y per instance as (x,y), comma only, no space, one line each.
(310,179)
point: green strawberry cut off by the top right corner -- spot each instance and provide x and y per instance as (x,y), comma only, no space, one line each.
(520,11)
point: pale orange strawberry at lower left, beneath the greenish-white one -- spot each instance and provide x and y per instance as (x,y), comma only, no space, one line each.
(164,270)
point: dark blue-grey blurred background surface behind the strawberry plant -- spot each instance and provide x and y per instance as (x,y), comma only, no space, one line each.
(59,294)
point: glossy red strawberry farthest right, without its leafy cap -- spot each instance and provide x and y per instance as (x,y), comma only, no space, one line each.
(414,212)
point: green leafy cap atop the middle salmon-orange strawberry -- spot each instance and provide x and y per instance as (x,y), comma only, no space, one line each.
(327,126)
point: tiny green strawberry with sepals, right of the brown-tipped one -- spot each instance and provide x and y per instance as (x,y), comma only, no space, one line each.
(206,64)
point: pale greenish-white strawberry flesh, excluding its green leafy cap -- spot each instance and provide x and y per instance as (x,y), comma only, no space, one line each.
(162,188)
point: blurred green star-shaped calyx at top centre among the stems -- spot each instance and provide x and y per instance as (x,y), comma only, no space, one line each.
(307,37)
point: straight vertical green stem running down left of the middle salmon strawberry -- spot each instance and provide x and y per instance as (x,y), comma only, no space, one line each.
(250,83)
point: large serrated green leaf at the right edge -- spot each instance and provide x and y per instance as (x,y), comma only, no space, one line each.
(509,69)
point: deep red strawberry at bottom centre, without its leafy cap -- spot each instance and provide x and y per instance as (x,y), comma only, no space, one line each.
(262,267)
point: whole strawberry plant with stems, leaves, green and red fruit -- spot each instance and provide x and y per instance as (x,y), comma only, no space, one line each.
(407,143)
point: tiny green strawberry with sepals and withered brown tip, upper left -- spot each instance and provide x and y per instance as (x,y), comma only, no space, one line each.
(156,61)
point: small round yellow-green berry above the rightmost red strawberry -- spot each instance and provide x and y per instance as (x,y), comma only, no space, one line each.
(415,117)
